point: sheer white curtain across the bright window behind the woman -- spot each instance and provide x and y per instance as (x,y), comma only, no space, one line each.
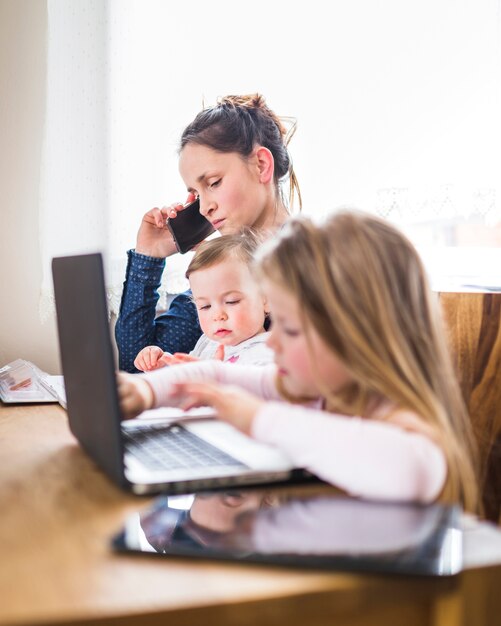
(398,107)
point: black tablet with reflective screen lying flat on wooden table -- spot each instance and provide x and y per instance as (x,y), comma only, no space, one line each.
(314,531)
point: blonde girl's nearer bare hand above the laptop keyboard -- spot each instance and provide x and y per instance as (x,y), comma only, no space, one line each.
(231,403)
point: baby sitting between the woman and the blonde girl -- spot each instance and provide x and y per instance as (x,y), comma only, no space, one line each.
(231,309)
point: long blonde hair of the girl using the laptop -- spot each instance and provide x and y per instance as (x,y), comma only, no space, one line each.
(362,287)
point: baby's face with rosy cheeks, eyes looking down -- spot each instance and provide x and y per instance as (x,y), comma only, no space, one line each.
(229,304)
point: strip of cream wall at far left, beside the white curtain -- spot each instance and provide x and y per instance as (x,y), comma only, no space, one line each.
(23,67)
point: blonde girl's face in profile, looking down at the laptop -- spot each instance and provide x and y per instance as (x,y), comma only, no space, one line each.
(305,367)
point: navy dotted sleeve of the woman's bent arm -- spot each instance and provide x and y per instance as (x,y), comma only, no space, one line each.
(177,330)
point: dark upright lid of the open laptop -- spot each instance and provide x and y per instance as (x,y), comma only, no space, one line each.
(87,359)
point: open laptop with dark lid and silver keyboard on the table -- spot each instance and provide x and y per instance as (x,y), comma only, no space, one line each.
(143,455)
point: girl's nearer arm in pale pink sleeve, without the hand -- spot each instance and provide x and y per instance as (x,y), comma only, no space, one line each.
(366,458)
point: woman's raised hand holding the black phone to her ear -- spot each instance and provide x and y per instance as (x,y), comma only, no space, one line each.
(153,237)
